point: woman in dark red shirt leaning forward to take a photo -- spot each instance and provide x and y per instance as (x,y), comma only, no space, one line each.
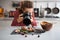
(18,20)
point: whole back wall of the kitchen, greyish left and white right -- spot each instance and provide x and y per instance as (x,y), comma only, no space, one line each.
(7,4)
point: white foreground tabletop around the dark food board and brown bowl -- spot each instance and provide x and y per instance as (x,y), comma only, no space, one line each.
(53,34)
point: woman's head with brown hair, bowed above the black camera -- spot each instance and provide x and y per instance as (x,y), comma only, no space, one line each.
(27,6)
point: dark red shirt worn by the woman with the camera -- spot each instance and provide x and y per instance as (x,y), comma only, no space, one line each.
(15,23)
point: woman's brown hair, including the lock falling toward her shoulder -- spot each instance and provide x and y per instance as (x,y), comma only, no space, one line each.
(25,4)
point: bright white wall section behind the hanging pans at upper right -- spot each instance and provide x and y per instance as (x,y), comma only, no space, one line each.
(50,5)
